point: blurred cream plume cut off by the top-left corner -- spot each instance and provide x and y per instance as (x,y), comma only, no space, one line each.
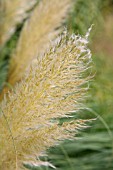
(12,12)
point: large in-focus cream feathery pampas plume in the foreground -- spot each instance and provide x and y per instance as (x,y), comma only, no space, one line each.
(52,88)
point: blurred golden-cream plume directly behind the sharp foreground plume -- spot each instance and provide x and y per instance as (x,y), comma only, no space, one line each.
(38,31)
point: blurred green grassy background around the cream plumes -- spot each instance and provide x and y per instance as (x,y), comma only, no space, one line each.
(93,148)
